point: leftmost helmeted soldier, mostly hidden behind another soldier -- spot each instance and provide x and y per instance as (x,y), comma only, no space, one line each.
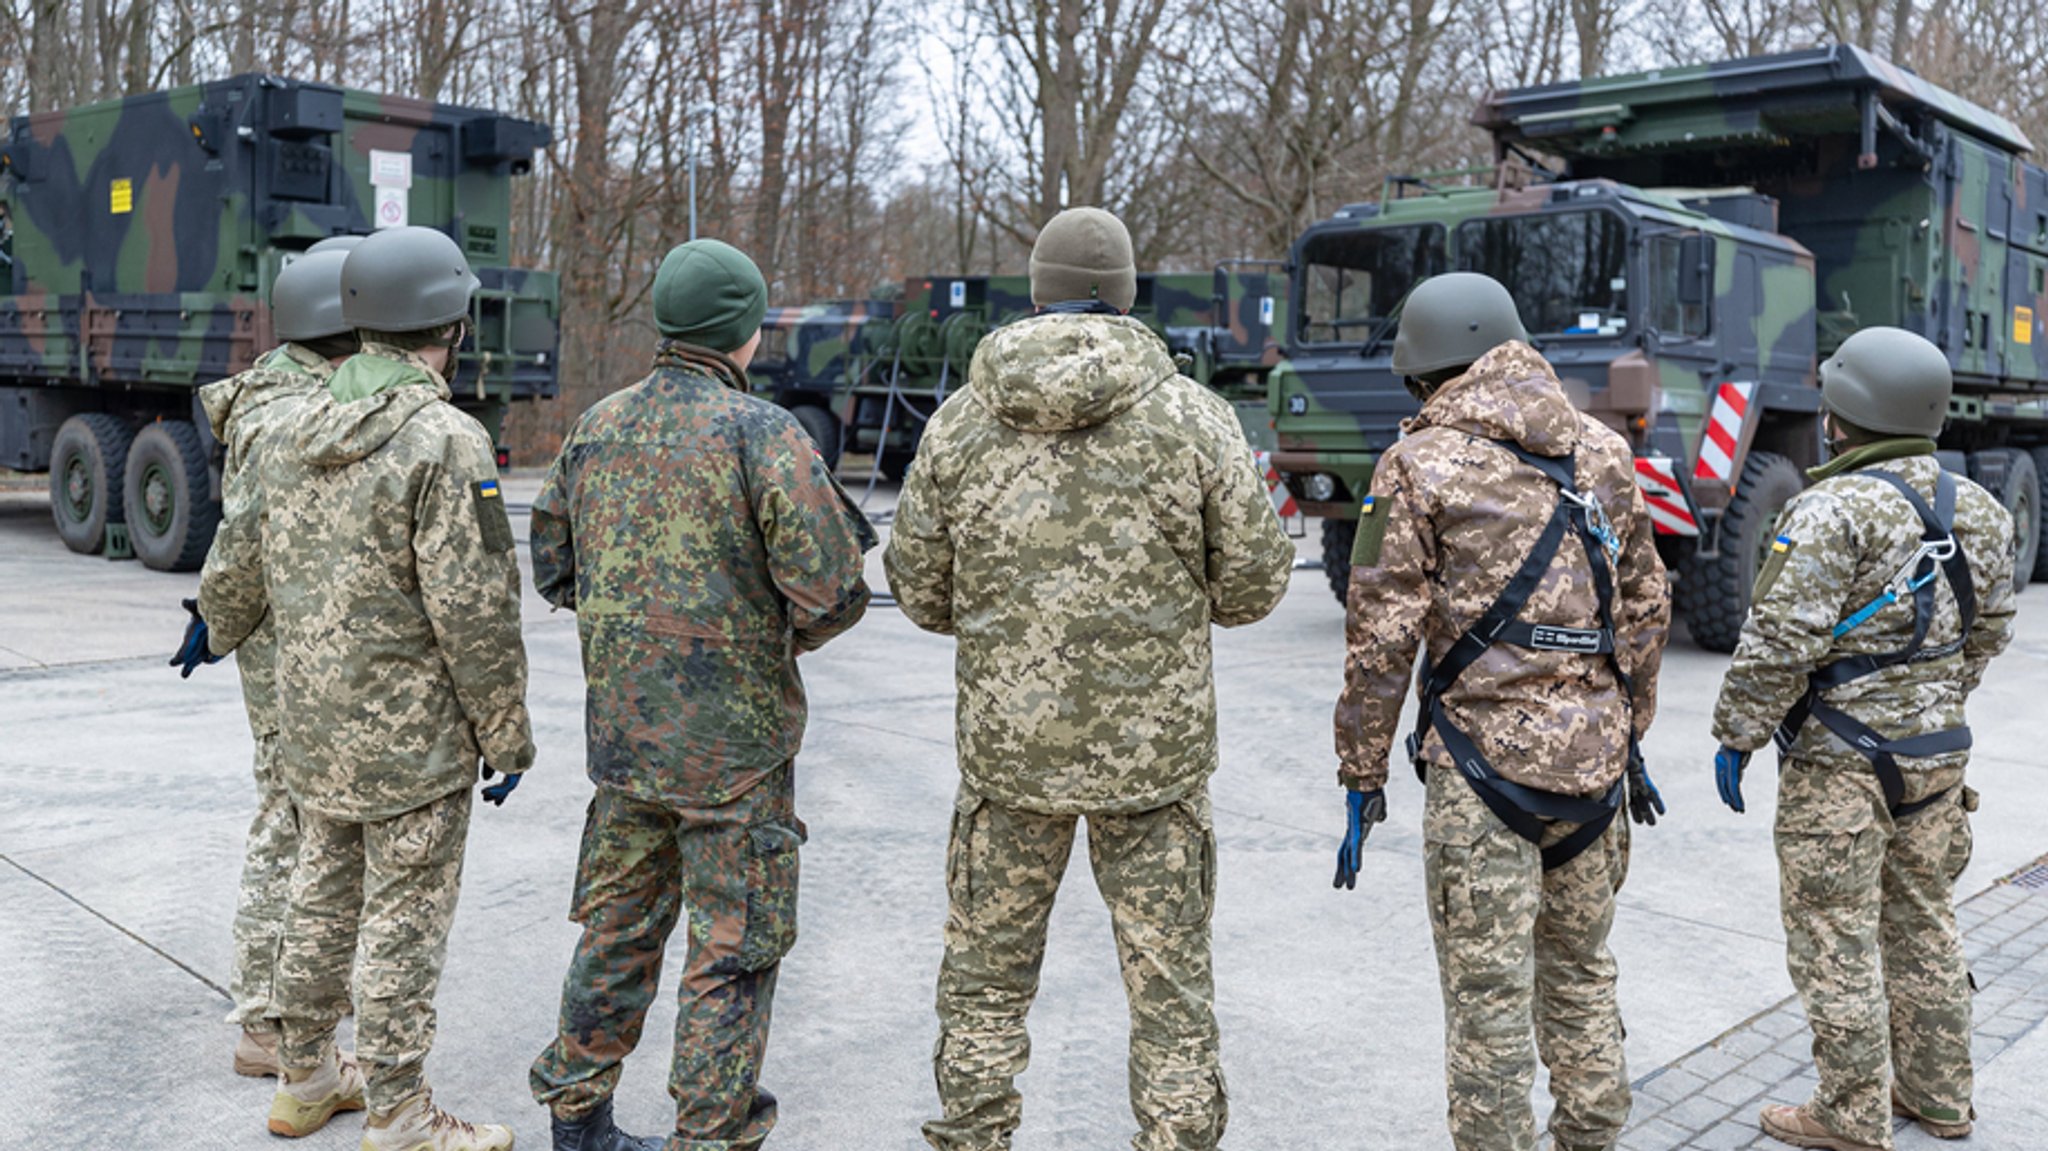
(249,409)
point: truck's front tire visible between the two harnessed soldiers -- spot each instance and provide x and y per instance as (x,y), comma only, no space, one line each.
(1713,593)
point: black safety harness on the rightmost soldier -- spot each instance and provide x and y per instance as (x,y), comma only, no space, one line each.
(1938,554)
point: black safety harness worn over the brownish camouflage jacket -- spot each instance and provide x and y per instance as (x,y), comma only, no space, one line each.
(1525,810)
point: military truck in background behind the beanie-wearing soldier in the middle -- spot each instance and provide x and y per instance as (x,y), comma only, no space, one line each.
(865,376)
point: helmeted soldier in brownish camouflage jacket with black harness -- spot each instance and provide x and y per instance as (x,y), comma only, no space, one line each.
(1506,538)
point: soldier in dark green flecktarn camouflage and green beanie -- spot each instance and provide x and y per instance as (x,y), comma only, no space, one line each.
(693,613)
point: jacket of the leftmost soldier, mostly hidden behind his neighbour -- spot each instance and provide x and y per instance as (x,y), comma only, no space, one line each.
(245,411)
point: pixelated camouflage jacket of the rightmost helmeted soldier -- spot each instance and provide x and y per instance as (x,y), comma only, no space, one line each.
(1838,546)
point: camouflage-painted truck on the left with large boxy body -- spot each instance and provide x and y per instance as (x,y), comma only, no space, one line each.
(142,243)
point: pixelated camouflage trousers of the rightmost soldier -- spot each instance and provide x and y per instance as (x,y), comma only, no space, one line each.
(1873,947)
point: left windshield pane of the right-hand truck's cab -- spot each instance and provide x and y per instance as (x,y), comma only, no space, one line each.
(1351,282)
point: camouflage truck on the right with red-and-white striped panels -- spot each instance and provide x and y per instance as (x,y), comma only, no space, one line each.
(1684,245)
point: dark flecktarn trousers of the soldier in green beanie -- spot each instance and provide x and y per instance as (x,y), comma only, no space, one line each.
(734,869)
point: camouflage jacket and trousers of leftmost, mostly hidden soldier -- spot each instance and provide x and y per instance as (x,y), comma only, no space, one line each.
(247,411)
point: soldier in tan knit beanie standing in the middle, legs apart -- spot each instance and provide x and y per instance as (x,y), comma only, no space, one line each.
(1078,519)
